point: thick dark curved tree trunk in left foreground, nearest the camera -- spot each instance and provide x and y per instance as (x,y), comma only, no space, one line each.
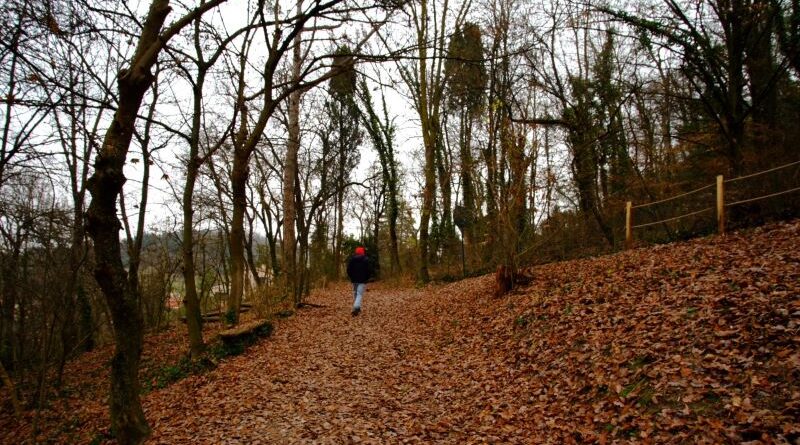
(127,418)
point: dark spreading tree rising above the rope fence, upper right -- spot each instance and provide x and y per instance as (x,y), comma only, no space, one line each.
(726,48)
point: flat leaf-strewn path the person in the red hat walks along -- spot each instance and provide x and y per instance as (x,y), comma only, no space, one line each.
(327,377)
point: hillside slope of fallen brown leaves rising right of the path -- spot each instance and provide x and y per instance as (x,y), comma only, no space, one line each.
(695,342)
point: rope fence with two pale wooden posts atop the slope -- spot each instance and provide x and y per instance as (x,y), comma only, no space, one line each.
(744,200)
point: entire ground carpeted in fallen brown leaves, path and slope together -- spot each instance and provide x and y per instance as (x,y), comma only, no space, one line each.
(696,342)
